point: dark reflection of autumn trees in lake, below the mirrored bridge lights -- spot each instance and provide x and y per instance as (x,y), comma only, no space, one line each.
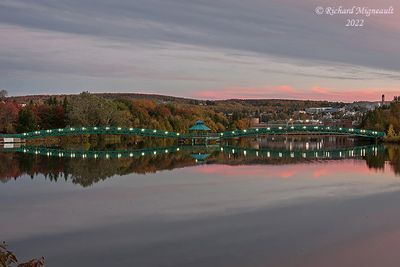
(88,171)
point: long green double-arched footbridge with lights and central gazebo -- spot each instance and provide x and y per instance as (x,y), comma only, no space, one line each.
(251,132)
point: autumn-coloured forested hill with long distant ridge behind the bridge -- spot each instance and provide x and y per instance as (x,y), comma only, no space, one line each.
(29,113)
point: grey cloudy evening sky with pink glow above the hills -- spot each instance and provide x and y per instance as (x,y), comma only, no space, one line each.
(206,49)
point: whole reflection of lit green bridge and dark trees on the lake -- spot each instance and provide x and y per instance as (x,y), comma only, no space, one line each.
(88,167)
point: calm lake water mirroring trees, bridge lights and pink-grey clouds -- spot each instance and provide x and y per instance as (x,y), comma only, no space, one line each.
(266,204)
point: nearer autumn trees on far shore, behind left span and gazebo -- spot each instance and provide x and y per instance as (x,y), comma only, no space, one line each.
(88,110)
